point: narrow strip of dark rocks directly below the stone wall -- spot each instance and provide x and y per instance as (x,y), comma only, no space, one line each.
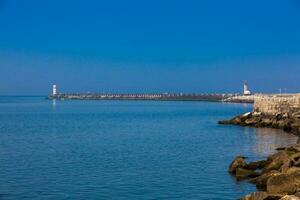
(289,122)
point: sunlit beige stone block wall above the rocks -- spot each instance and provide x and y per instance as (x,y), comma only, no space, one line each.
(272,104)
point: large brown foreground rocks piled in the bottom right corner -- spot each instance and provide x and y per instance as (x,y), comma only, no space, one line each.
(277,177)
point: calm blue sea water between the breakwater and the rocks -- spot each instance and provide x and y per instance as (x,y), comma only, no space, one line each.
(124,149)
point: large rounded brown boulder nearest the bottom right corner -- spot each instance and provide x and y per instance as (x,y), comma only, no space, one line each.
(282,184)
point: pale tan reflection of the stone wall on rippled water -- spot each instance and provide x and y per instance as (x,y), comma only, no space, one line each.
(266,140)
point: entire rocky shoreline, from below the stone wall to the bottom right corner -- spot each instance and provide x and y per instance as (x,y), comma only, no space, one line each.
(277,177)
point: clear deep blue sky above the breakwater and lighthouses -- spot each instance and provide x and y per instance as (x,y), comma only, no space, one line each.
(149,46)
